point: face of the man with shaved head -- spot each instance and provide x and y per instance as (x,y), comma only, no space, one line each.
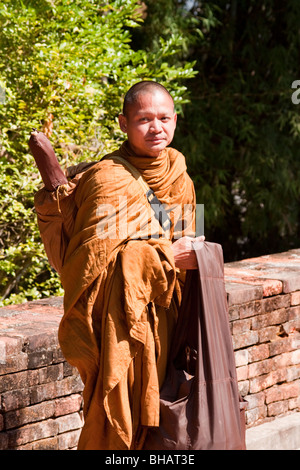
(150,123)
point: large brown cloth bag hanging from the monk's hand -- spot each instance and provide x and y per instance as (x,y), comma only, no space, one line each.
(200,406)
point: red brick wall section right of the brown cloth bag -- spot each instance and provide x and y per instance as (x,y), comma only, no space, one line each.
(264,312)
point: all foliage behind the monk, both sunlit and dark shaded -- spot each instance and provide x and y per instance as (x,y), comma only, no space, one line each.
(65,67)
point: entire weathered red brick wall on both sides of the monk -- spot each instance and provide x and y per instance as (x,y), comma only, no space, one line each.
(40,393)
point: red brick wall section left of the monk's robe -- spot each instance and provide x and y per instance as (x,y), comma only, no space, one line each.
(40,392)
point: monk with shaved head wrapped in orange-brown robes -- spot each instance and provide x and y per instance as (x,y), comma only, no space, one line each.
(121,269)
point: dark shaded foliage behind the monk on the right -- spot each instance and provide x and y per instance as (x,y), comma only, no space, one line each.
(240,133)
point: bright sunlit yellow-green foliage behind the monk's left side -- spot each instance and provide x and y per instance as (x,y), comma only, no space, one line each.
(65,67)
